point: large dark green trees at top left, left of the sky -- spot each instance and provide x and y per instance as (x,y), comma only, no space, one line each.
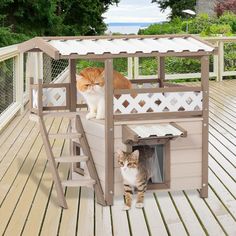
(21,19)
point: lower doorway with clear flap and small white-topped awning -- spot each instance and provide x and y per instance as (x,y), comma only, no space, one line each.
(153,143)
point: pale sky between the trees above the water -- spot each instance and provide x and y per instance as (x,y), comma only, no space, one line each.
(135,11)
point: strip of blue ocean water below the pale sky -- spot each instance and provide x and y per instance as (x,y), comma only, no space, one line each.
(126,28)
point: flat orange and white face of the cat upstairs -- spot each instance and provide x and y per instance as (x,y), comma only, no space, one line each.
(91,81)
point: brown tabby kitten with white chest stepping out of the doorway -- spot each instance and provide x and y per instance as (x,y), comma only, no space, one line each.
(136,169)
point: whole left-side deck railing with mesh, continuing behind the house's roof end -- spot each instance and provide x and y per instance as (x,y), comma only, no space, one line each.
(16,69)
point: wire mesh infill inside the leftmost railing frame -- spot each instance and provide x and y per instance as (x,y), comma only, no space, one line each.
(7,84)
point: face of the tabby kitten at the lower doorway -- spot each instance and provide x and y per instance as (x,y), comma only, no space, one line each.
(128,160)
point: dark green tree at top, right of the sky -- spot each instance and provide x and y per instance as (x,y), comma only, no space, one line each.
(176,6)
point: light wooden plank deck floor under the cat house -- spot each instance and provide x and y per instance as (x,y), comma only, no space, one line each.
(27,196)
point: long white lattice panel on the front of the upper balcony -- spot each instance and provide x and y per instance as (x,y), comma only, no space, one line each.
(158,102)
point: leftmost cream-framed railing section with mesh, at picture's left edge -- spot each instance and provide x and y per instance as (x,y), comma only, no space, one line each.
(11,84)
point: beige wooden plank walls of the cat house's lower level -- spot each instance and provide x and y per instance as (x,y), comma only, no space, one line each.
(186,153)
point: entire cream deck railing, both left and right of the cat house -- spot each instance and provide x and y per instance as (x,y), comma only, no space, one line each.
(16,69)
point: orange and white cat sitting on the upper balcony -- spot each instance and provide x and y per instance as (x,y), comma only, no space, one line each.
(90,83)
